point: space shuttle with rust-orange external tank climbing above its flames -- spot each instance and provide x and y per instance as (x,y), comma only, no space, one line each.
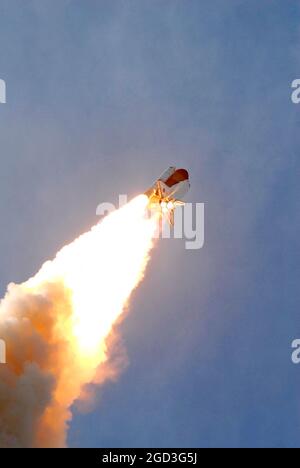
(168,191)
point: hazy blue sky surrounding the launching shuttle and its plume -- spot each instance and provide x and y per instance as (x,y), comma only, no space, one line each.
(102,96)
